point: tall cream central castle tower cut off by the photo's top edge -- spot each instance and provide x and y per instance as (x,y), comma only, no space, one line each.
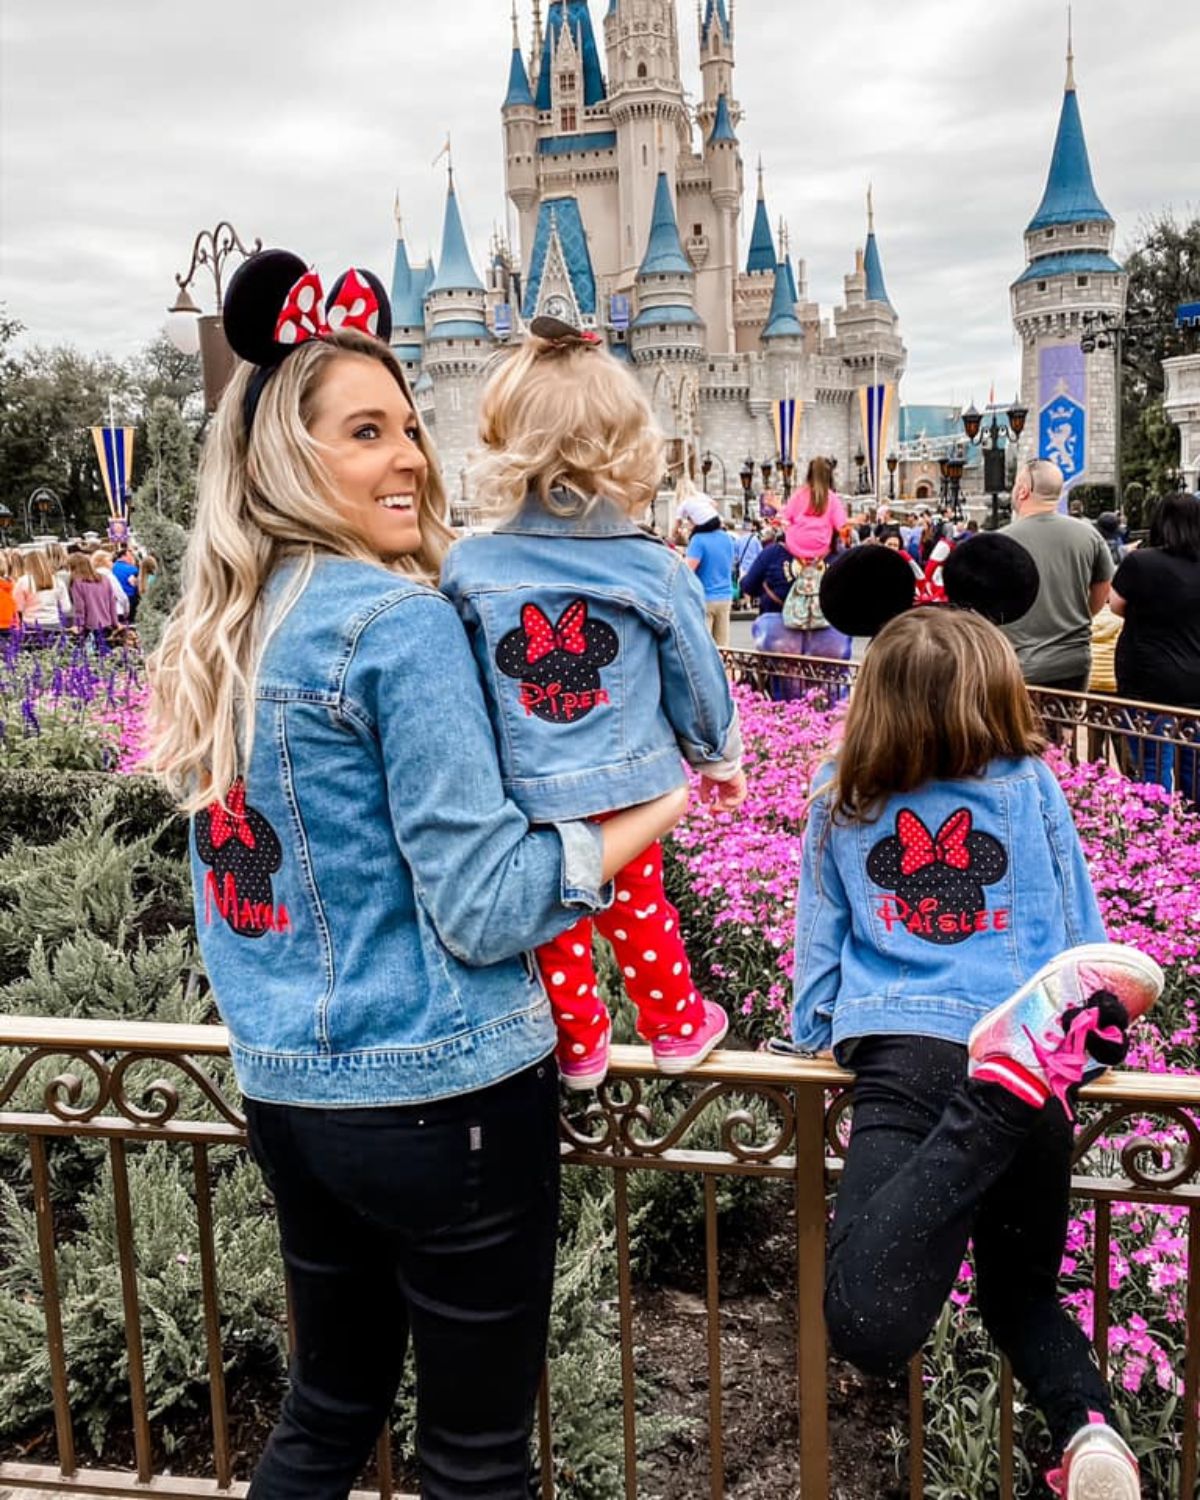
(647,110)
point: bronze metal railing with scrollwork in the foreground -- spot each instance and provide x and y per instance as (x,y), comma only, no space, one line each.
(130,1084)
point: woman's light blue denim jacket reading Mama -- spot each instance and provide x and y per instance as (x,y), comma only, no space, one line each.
(364,904)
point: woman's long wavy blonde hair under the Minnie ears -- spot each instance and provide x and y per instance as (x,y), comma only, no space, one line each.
(262,499)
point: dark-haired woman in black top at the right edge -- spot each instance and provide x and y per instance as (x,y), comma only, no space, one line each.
(1157,592)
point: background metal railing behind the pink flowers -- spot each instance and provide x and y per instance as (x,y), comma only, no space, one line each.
(1148,742)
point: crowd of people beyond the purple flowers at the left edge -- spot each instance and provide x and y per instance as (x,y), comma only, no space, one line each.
(80,587)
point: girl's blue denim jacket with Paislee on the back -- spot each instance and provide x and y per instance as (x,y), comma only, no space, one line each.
(922,922)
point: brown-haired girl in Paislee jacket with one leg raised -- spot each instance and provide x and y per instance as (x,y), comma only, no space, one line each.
(941,871)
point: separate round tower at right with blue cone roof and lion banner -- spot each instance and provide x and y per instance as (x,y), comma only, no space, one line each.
(1070,274)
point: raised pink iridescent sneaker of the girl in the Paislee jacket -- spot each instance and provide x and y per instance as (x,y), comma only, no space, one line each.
(1036,1043)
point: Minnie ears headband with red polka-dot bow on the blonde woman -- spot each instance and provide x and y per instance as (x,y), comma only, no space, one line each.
(275,304)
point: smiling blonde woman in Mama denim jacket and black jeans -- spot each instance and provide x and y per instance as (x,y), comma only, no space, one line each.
(364,895)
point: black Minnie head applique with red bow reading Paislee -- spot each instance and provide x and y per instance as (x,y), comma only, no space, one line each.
(938,878)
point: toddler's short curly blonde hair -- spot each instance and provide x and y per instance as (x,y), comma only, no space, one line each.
(566,416)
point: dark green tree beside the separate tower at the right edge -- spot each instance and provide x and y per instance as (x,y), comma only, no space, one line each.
(1165,272)
